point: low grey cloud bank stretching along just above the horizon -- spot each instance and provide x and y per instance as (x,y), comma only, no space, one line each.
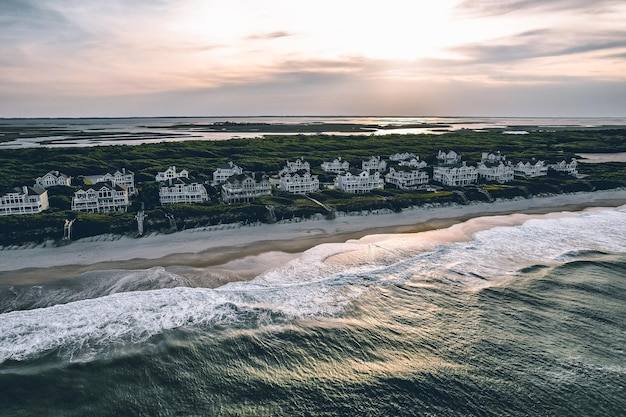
(332,93)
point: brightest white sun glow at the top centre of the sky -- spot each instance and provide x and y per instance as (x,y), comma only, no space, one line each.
(392,30)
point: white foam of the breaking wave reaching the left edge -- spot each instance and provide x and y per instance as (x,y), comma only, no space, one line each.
(90,327)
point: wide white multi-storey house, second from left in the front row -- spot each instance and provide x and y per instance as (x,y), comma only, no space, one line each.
(102,197)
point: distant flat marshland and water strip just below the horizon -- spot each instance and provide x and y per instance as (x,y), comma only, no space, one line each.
(64,132)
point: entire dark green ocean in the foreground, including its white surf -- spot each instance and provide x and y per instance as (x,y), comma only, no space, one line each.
(526,320)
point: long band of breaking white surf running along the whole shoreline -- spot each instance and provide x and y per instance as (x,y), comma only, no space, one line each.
(323,282)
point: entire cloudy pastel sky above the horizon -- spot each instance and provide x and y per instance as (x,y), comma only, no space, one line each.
(122,58)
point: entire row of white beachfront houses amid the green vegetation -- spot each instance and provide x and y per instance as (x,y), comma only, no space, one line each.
(111,192)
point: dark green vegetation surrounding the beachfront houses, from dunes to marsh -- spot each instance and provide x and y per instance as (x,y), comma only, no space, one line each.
(21,166)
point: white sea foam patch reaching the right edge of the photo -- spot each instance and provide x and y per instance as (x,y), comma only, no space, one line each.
(502,251)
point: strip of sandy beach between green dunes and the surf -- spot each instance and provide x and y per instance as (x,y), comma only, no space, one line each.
(235,249)
